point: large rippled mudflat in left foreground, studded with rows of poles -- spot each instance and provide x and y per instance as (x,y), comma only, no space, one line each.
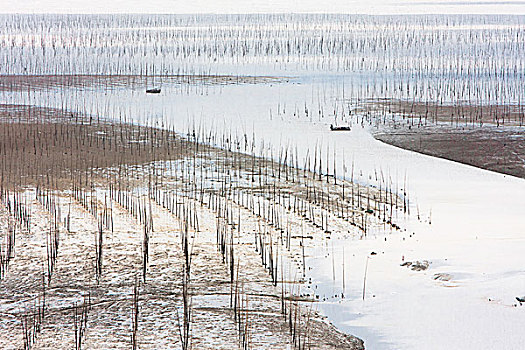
(94,219)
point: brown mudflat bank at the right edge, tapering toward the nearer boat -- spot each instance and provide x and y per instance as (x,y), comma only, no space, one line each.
(488,137)
